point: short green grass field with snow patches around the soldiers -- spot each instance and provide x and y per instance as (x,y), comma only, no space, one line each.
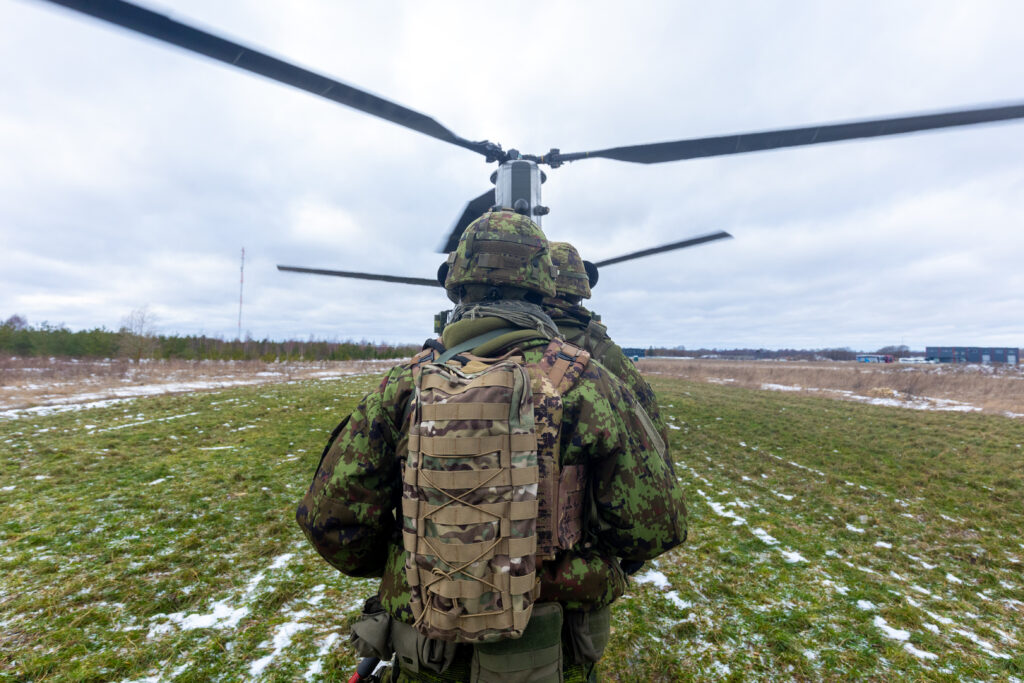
(154,540)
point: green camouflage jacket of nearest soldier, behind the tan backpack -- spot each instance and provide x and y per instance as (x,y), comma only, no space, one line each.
(636,507)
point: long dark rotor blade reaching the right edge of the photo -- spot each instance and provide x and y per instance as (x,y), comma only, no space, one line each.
(658,153)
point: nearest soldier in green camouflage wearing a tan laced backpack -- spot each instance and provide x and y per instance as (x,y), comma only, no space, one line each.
(586,488)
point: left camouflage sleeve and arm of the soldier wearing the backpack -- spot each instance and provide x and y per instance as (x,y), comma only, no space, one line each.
(348,511)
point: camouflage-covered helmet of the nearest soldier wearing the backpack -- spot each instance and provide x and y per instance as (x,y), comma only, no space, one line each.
(501,249)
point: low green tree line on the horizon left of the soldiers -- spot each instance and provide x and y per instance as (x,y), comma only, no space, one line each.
(19,338)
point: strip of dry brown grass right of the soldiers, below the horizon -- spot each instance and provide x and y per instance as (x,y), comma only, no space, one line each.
(991,389)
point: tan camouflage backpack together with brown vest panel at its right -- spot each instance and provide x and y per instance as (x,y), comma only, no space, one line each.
(484,500)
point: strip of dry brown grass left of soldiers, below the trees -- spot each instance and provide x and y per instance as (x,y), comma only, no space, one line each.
(27,382)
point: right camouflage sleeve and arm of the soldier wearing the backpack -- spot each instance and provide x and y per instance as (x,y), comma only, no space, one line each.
(638,510)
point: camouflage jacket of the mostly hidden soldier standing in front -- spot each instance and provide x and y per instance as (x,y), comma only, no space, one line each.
(579,326)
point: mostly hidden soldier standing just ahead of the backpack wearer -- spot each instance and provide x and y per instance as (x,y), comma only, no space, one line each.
(583,328)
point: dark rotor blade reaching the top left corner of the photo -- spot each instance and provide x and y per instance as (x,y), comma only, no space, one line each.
(165,29)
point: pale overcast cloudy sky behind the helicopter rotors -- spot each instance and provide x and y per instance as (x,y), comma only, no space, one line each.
(134,174)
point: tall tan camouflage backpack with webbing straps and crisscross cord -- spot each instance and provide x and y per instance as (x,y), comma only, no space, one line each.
(470,502)
